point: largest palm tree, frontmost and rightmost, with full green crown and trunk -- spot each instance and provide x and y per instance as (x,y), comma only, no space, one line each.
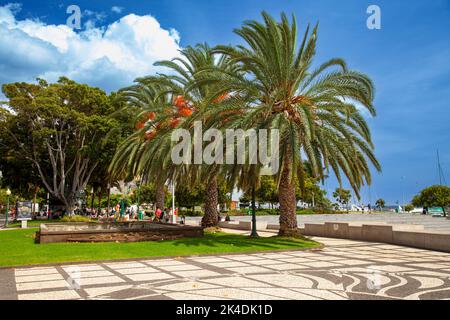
(317,111)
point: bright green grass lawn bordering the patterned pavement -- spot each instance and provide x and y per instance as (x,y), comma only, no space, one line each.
(18,248)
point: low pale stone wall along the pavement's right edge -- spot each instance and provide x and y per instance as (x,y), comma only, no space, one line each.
(404,235)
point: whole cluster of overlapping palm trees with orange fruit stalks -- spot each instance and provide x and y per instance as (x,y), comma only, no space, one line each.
(269,82)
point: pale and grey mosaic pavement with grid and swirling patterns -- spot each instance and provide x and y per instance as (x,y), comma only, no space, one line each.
(343,270)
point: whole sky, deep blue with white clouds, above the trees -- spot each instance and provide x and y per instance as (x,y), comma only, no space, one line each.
(408,59)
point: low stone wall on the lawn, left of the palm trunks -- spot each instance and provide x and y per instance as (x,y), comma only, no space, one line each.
(114,232)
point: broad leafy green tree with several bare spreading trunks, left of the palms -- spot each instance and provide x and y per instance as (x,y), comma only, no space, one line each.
(62,129)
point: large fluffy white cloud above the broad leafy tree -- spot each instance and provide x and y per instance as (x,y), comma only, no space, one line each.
(110,57)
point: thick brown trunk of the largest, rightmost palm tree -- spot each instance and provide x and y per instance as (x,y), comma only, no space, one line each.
(288,202)
